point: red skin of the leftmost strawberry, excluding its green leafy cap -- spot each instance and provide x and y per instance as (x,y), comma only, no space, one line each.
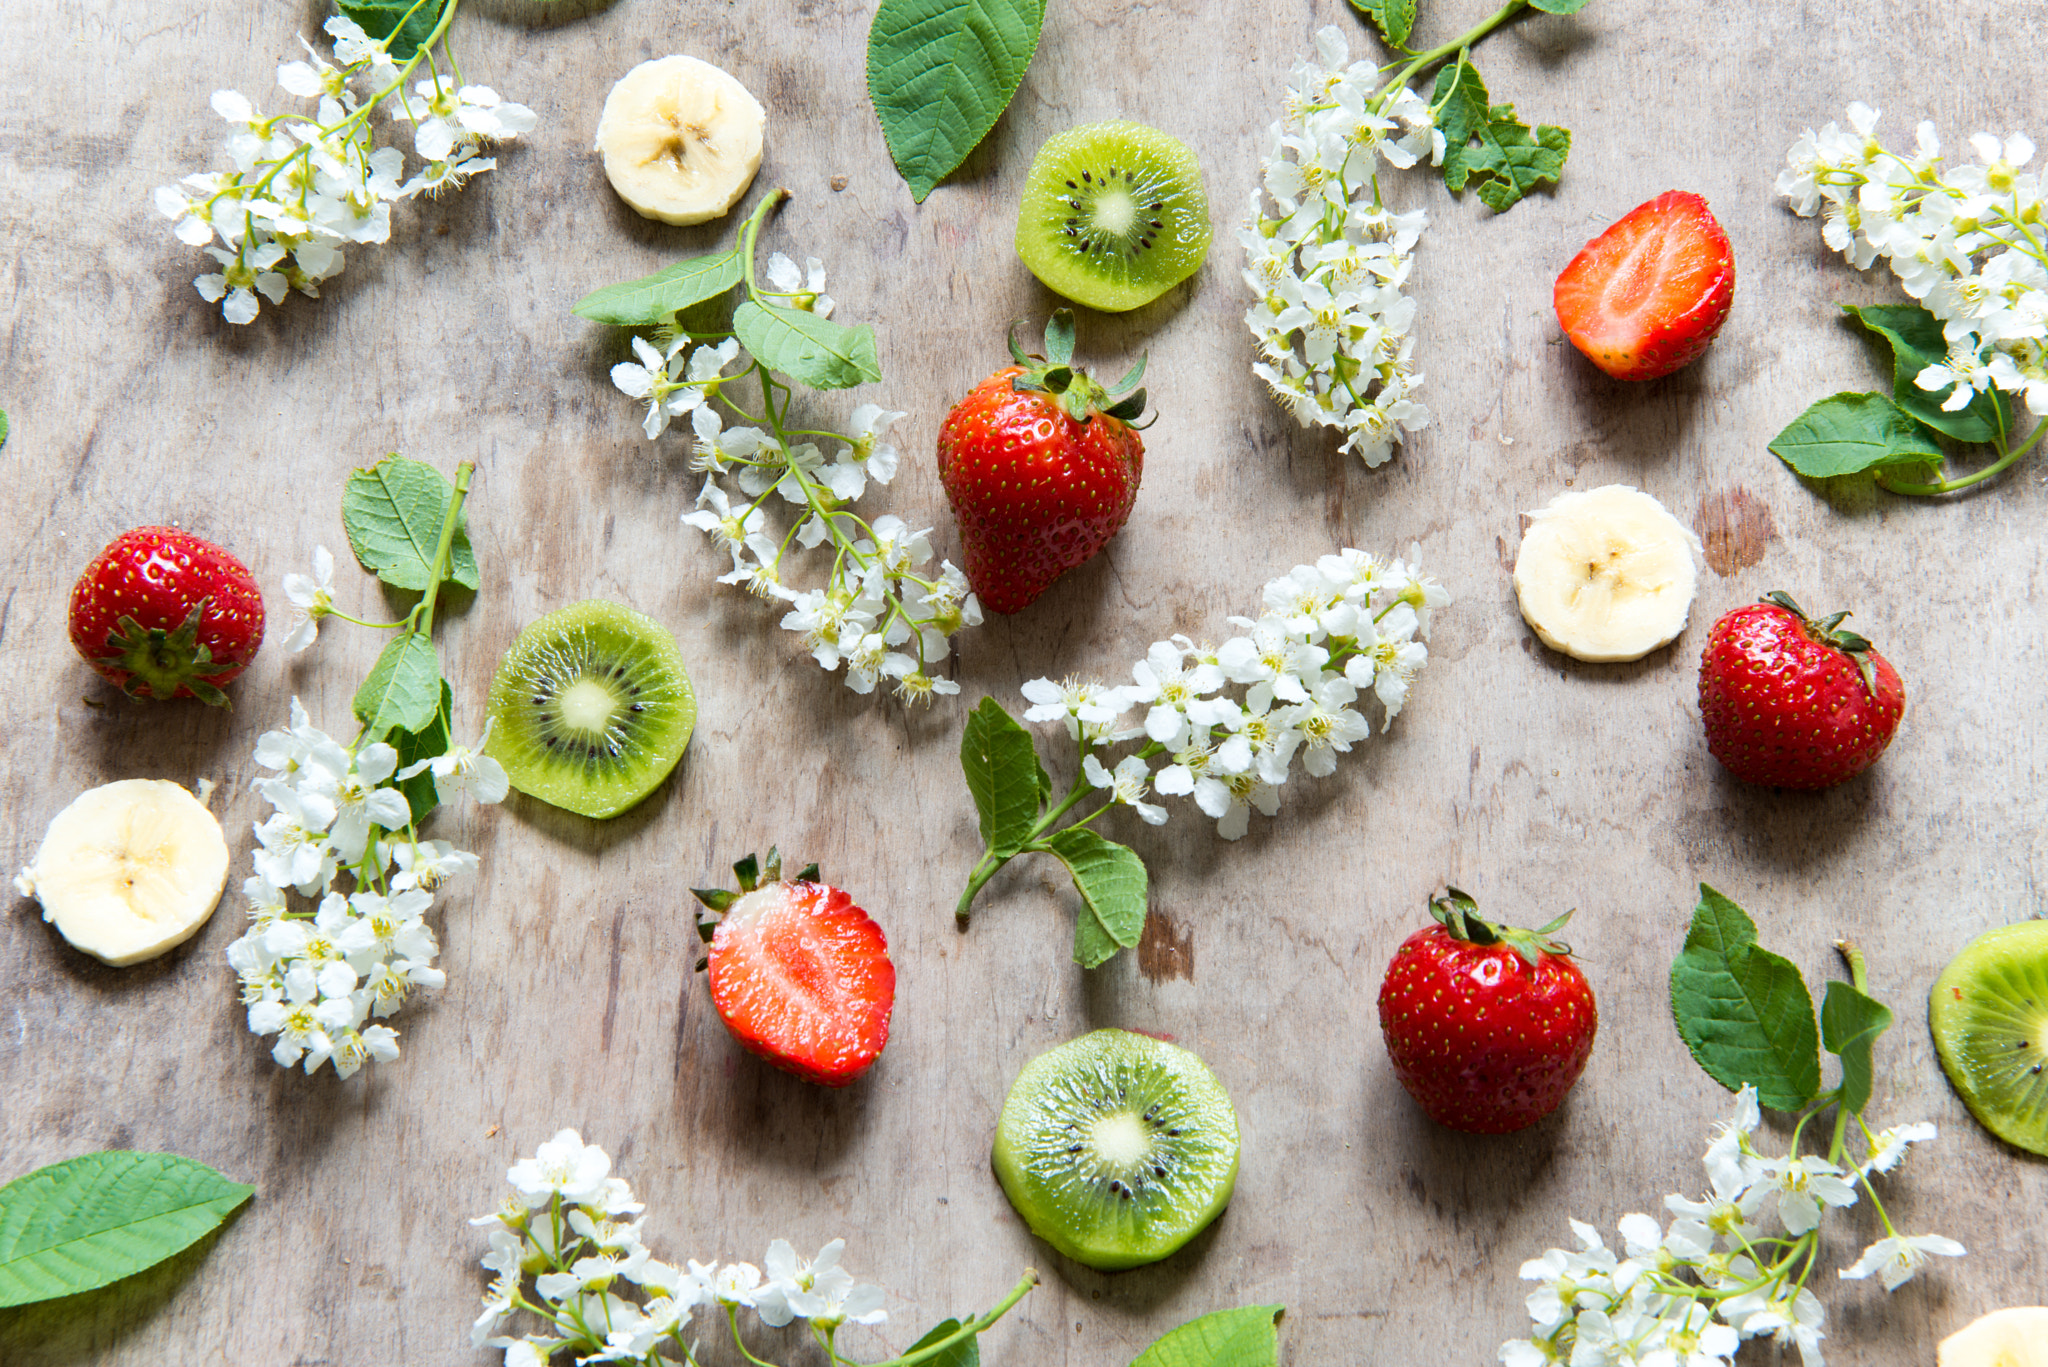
(159,575)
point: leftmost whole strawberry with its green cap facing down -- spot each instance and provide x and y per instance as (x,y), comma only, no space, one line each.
(165,614)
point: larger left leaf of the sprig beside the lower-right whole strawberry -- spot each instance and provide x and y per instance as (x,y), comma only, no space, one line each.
(1744,1011)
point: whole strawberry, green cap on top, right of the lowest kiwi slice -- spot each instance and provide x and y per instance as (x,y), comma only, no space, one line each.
(1488,1026)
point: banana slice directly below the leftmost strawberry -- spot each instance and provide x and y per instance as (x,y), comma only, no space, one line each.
(130,870)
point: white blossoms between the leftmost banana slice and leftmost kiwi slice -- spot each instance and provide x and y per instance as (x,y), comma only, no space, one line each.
(316,979)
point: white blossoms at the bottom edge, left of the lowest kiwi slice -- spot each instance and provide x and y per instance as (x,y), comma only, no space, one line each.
(566,1247)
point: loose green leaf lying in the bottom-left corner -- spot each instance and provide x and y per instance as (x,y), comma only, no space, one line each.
(99,1218)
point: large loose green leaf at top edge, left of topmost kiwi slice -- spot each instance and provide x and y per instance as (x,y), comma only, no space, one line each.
(941,75)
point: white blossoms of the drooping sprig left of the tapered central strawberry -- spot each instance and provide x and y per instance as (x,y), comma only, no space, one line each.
(884,614)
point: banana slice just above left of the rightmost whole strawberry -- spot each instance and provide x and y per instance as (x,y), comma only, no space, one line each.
(1607,575)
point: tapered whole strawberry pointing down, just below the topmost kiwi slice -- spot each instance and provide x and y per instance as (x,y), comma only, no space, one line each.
(1041,470)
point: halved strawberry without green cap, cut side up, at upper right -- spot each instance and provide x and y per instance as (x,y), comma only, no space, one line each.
(1652,292)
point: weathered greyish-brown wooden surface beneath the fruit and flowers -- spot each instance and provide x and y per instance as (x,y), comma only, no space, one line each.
(1529,780)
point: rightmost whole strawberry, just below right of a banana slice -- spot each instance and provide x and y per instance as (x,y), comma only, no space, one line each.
(1795,702)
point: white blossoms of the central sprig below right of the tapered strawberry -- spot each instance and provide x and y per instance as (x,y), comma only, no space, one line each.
(1332,632)
